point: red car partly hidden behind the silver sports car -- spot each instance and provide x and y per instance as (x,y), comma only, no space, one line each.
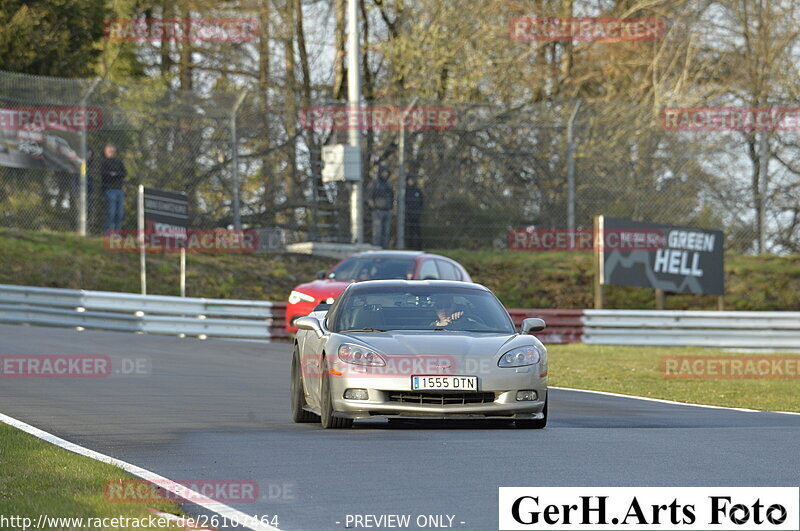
(371,265)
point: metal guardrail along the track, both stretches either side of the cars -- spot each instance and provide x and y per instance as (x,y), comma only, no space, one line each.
(264,320)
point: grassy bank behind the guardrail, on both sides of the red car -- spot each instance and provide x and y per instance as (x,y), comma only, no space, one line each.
(520,279)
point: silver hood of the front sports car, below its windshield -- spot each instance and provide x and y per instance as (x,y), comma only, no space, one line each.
(439,342)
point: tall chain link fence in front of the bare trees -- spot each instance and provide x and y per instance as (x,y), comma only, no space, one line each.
(488,170)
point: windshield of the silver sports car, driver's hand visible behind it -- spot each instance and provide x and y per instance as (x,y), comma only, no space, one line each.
(422,308)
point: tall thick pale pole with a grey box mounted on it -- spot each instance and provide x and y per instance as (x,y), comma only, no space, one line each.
(354,99)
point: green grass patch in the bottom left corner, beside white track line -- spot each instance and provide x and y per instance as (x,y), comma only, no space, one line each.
(39,478)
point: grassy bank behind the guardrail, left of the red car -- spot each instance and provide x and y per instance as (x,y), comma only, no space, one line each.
(64,260)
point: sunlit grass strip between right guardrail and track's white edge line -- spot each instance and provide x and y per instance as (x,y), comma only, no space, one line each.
(637,371)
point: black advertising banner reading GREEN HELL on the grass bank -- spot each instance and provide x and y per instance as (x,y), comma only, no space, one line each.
(679,259)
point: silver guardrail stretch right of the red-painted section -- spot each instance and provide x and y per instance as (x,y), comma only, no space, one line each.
(773,330)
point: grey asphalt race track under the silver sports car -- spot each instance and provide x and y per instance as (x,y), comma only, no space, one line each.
(219,410)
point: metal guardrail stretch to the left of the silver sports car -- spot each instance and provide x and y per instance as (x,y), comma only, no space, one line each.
(152,314)
